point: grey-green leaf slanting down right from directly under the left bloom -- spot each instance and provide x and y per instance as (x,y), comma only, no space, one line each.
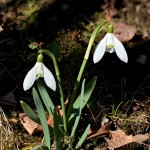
(45,97)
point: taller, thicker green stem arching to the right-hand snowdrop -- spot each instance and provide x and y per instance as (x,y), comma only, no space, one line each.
(86,57)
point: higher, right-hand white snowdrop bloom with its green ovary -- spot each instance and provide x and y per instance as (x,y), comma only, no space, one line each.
(110,44)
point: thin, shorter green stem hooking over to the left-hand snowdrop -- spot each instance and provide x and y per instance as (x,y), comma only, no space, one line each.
(51,55)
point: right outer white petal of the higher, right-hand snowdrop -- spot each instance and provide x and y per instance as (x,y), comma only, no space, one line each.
(120,50)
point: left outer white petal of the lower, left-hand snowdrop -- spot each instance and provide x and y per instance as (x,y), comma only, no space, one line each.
(30,78)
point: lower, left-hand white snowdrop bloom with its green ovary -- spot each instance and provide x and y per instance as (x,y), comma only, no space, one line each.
(39,70)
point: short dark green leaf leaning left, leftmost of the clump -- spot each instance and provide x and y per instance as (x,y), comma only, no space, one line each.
(29,112)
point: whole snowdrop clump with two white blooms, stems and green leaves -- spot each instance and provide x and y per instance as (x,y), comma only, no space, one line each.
(64,130)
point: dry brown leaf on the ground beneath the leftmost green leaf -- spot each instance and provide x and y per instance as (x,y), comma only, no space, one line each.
(29,124)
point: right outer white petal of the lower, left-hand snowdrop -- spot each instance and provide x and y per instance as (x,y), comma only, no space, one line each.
(49,78)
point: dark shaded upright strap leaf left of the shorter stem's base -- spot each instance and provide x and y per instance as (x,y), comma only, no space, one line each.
(56,131)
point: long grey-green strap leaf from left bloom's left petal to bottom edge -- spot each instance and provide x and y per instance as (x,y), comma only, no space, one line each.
(42,116)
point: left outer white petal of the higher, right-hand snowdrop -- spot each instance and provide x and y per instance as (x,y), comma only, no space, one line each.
(100,50)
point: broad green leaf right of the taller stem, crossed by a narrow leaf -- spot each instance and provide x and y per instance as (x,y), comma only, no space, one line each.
(87,93)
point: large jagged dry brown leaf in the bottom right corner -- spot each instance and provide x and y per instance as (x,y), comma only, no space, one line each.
(119,140)
